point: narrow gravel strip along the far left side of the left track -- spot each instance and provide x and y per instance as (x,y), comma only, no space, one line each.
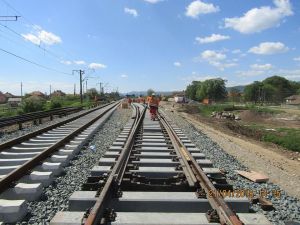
(6,136)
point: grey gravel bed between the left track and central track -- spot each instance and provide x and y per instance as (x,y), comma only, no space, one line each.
(56,196)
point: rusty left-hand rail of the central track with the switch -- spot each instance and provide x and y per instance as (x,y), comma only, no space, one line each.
(115,175)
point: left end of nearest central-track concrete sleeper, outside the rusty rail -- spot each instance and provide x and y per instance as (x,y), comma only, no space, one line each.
(67,218)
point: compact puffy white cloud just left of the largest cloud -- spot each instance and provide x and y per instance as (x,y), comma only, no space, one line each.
(198,7)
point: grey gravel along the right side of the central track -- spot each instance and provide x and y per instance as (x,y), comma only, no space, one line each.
(287,208)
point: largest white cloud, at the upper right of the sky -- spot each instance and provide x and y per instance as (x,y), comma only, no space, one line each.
(259,19)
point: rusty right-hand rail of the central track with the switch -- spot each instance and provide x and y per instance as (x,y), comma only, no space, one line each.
(226,215)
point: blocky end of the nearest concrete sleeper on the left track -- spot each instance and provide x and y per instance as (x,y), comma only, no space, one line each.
(12,211)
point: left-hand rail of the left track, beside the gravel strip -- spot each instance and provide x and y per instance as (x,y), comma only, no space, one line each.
(25,137)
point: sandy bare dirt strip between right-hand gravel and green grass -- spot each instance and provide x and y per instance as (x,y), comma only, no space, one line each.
(258,156)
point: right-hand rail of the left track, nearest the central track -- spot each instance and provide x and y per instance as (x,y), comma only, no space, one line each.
(19,172)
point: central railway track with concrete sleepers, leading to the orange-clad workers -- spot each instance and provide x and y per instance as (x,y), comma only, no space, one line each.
(153,174)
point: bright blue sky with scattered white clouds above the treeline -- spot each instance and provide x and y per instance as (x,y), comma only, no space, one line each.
(134,45)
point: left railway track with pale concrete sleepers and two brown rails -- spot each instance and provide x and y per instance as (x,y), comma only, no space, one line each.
(31,162)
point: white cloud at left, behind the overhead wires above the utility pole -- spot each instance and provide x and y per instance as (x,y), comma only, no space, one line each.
(42,36)
